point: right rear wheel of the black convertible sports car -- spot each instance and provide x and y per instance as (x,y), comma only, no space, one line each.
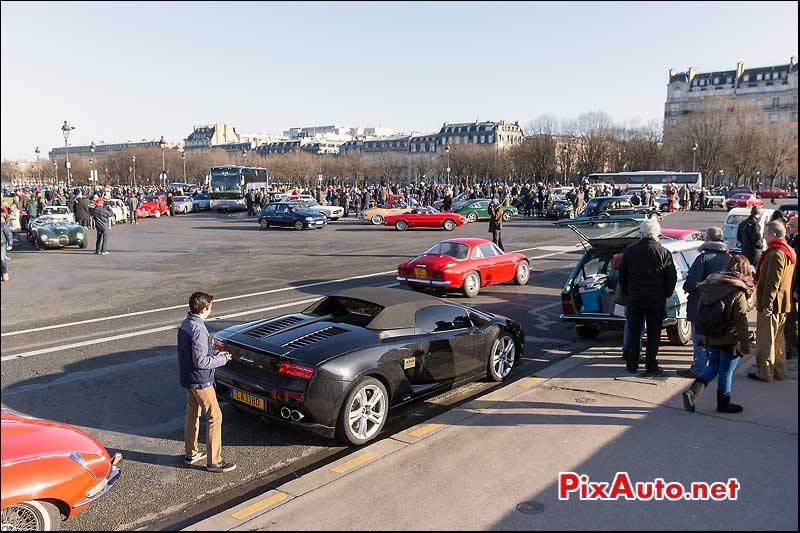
(364,412)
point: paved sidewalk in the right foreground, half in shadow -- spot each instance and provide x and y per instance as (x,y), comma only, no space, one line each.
(470,467)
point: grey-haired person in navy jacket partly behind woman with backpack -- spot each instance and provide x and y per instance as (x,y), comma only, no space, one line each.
(713,258)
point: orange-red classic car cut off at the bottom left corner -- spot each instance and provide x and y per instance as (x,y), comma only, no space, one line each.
(49,470)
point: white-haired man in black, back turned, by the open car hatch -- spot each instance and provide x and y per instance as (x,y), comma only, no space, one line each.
(648,277)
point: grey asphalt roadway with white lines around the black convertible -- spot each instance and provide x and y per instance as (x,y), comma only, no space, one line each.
(114,375)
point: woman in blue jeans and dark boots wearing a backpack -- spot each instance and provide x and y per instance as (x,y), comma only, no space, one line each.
(722,325)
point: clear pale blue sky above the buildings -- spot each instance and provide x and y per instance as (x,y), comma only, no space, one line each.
(120,71)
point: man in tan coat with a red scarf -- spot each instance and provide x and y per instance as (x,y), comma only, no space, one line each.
(773,302)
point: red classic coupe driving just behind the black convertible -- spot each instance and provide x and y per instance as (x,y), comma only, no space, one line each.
(466,264)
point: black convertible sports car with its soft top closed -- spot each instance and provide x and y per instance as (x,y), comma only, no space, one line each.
(340,365)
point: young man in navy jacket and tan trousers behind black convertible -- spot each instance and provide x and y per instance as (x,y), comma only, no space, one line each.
(196,364)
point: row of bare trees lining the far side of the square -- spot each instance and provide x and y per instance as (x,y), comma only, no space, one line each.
(745,149)
